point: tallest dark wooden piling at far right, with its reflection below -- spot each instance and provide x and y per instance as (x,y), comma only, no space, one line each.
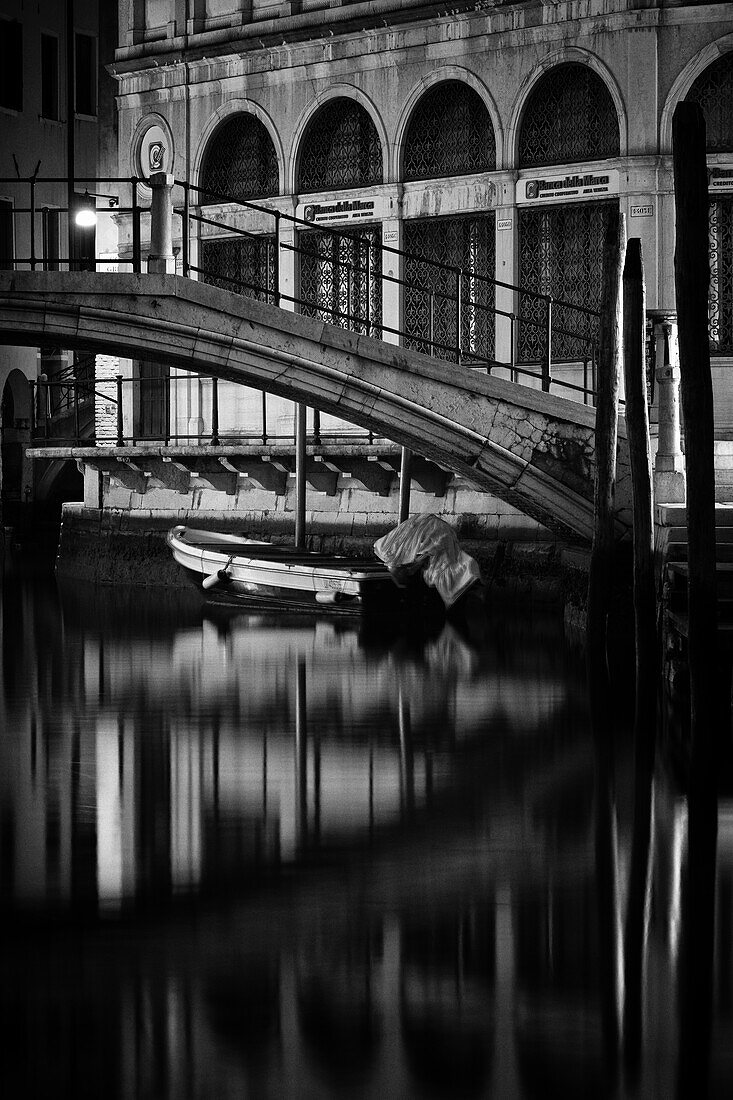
(692,284)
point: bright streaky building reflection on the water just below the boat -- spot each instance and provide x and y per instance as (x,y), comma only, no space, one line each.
(154,757)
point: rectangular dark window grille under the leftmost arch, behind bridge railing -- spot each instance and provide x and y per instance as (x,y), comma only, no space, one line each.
(243,265)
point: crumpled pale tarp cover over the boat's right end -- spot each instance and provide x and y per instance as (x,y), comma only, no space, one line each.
(429,544)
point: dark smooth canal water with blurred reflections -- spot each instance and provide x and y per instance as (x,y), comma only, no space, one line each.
(260,856)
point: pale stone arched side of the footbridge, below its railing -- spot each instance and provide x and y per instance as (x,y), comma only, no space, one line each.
(533,450)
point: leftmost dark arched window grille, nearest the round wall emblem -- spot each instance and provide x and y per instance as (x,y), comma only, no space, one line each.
(240,161)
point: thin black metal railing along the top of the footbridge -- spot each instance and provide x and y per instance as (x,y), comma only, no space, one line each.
(461,305)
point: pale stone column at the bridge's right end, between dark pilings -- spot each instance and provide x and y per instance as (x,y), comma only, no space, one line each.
(670,487)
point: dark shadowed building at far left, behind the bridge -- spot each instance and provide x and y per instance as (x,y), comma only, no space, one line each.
(57,127)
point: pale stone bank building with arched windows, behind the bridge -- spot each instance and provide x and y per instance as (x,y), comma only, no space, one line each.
(440,179)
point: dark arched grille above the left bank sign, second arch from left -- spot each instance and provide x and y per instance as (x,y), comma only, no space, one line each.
(341,149)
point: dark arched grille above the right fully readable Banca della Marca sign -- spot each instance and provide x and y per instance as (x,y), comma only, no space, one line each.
(571,117)
